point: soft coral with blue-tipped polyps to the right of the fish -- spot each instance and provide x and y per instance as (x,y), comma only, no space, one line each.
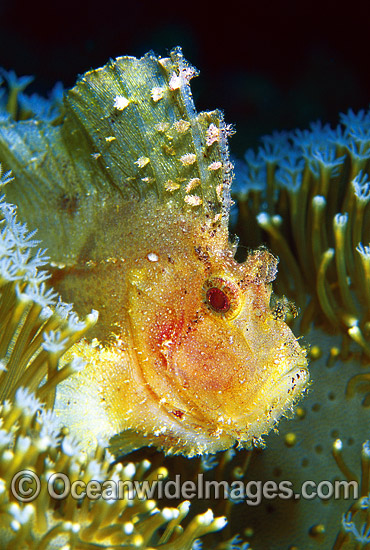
(305,194)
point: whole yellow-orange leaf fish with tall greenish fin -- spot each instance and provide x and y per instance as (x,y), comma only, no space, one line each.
(130,191)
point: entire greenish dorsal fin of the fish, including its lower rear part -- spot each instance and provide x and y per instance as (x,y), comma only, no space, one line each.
(129,130)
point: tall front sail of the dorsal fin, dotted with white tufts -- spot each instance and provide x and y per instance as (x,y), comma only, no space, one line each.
(140,118)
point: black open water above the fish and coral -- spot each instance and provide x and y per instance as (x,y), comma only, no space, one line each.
(268,65)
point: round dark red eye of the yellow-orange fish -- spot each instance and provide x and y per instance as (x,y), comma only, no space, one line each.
(222,296)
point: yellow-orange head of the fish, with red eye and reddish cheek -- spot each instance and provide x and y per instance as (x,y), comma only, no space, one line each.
(214,354)
